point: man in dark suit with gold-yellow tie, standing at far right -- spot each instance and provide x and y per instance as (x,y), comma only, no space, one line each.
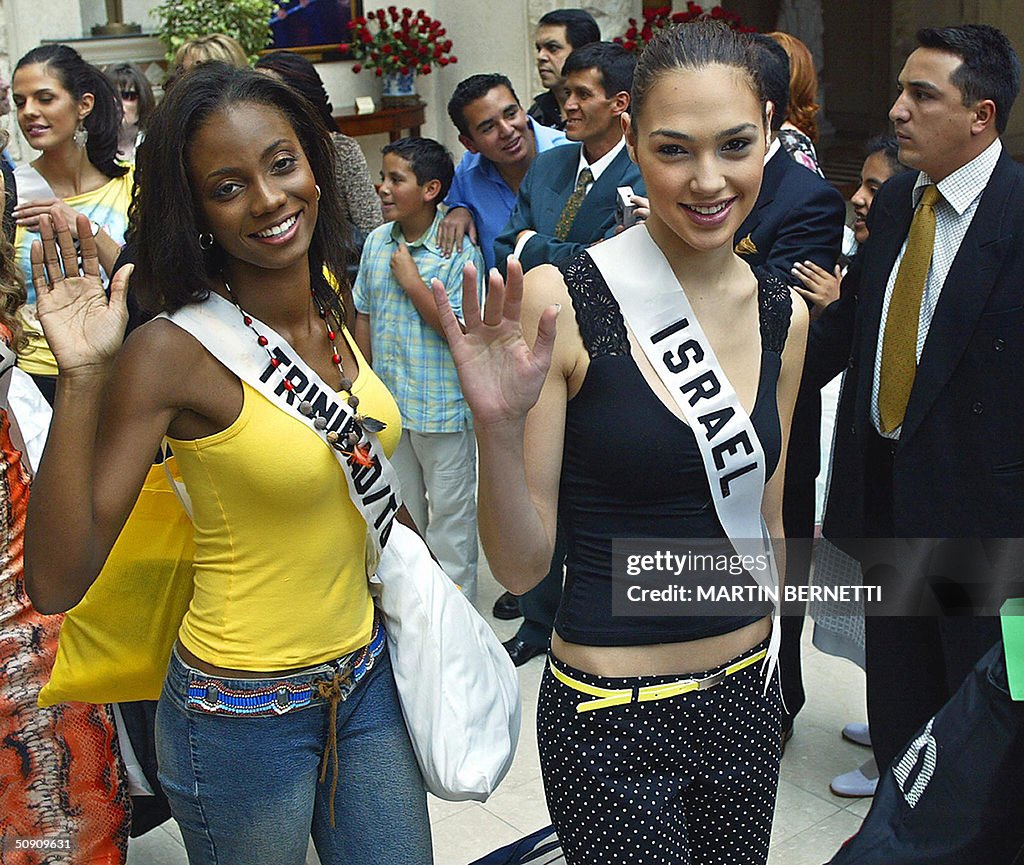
(929,432)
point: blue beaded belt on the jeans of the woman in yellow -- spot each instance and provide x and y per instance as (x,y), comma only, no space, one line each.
(278,698)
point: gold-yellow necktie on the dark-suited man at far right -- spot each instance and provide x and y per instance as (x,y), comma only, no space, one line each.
(900,348)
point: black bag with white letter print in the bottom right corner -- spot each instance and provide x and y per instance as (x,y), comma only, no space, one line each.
(956,795)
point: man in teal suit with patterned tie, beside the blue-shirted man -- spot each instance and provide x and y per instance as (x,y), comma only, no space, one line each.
(567,201)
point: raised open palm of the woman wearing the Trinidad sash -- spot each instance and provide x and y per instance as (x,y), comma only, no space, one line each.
(82,327)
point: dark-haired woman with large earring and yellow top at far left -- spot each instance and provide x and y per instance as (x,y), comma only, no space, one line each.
(70,112)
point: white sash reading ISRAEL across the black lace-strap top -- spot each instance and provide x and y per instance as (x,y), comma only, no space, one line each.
(663,322)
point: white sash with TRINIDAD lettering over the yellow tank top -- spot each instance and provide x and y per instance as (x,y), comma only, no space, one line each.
(218,324)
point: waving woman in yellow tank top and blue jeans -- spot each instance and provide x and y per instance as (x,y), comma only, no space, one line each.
(280,646)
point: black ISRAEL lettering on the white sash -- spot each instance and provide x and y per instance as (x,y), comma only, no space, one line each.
(705,385)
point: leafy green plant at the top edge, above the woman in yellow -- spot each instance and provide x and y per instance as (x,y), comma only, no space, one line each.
(246,21)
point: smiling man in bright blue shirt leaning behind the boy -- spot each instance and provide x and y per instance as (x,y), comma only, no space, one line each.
(502,142)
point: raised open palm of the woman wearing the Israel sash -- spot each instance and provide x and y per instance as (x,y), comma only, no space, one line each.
(500,374)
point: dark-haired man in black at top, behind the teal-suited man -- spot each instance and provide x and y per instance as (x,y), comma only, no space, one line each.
(559,35)
